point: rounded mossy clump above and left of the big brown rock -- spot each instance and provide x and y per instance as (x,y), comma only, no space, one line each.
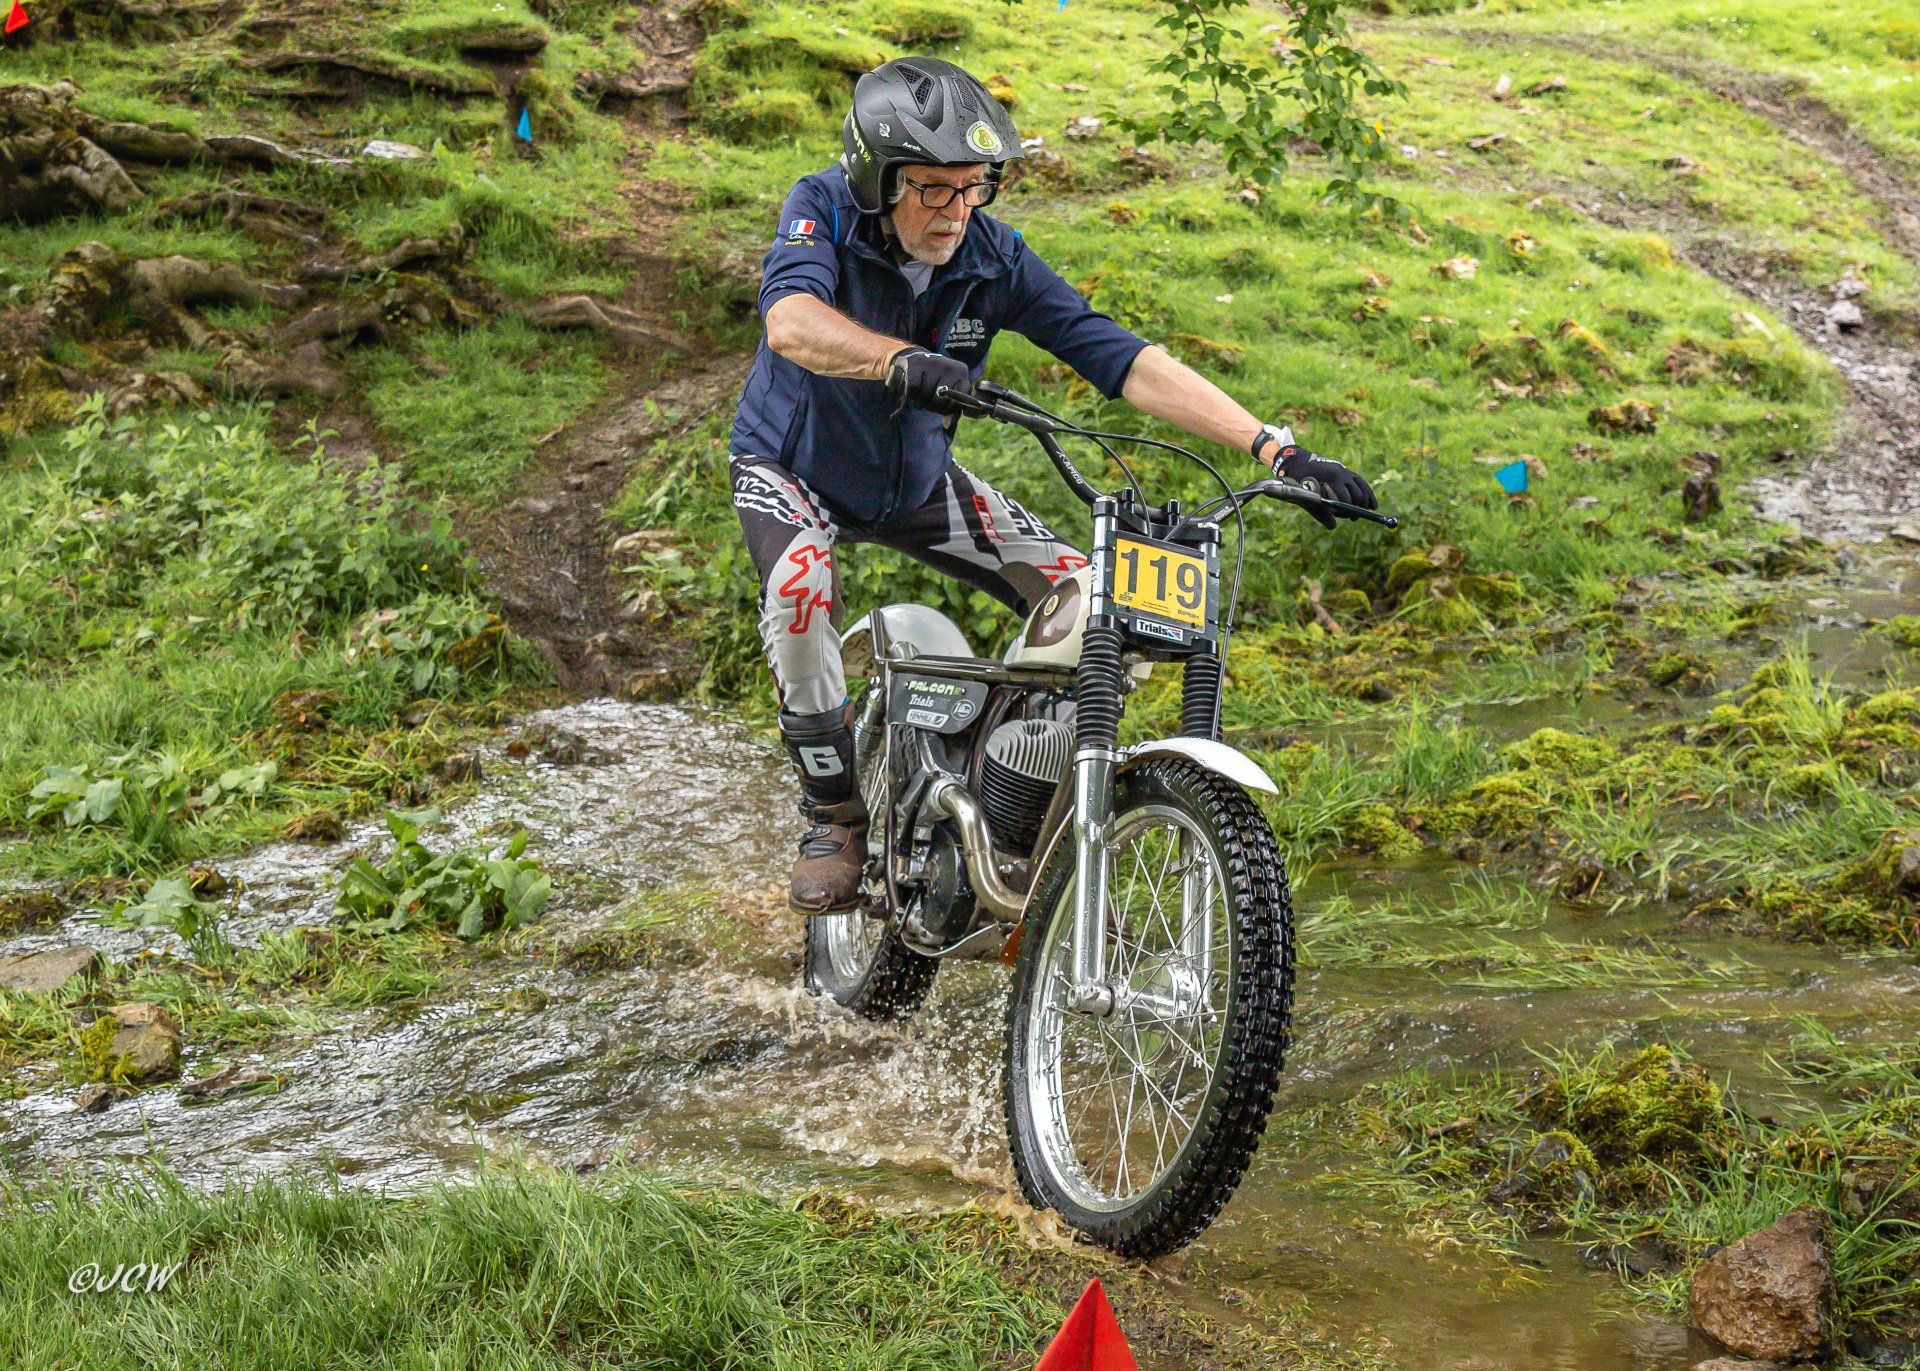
(1654,1107)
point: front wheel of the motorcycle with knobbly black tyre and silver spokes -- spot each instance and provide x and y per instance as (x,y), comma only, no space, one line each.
(1138,1128)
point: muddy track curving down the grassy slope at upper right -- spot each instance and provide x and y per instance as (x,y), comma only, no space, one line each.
(1869,483)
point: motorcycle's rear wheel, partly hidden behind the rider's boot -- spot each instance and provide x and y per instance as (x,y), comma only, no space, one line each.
(857,959)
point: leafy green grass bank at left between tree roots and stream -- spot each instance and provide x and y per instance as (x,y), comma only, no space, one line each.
(164,585)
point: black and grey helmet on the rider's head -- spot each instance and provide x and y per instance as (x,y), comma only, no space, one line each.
(921,112)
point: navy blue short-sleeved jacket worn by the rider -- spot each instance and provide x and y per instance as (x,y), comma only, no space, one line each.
(844,437)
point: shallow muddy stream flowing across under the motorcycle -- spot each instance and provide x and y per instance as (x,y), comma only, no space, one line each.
(715,1067)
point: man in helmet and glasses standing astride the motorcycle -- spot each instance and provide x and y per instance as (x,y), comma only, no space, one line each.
(882,287)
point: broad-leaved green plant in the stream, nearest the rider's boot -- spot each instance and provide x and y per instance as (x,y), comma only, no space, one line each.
(466,892)
